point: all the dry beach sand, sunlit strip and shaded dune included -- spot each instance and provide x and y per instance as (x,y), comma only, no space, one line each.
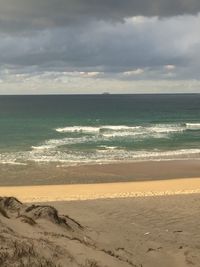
(140,224)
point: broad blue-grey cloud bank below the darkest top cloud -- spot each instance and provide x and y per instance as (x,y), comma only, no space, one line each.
(107,47)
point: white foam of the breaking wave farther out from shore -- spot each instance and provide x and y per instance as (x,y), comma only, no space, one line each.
(109,132)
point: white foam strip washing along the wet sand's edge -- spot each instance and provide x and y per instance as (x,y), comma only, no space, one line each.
(97,156)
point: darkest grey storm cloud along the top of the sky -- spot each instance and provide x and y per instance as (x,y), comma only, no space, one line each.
(36,14)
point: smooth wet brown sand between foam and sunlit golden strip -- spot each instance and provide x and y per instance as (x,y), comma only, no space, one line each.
(51,174)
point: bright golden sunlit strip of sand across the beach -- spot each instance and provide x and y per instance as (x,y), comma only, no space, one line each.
(99,191)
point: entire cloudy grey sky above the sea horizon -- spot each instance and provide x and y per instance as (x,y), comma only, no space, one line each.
(93,46)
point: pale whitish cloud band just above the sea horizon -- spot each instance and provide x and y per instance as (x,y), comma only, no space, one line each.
(74,83)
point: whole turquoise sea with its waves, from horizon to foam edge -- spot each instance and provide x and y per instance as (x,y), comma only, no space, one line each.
(75,129)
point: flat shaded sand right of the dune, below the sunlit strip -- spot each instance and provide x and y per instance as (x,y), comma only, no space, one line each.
(148,231)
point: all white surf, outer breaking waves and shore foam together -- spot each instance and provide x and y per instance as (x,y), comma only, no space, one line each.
(65,149)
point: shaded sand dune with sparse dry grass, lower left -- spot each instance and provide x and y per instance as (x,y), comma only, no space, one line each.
(38,236)
